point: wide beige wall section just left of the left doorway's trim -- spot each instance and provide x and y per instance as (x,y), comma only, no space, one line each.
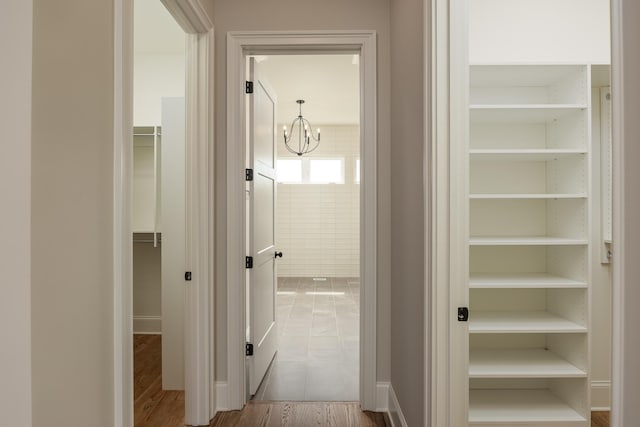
(72,203)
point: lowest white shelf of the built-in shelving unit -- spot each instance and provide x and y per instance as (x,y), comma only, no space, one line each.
(496,407)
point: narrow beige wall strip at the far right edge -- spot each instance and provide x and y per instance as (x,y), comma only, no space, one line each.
(631,211)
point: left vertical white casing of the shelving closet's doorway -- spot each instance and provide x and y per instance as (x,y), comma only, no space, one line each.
(445,248)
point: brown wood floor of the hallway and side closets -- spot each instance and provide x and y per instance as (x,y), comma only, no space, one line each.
(154,407)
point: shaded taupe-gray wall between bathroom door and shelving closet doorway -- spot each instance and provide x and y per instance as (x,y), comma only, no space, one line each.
(407,209)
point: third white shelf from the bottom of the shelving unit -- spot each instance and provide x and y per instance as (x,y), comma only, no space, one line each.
(504,322)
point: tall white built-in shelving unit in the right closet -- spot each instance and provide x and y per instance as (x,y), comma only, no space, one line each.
(529,245)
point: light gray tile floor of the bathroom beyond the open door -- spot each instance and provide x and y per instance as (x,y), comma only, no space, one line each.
(318,341)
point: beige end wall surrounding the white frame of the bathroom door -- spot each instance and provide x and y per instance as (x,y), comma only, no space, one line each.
(231,15)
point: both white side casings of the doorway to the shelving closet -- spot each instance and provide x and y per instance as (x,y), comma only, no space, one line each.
(447,77)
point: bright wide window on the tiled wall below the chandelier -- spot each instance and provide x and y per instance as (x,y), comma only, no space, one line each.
(310,171)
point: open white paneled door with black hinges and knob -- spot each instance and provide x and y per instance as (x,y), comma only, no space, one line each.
(262,281)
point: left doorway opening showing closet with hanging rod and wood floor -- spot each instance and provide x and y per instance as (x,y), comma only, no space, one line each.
(158,211)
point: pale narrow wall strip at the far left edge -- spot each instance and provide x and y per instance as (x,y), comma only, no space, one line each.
(15,180)
